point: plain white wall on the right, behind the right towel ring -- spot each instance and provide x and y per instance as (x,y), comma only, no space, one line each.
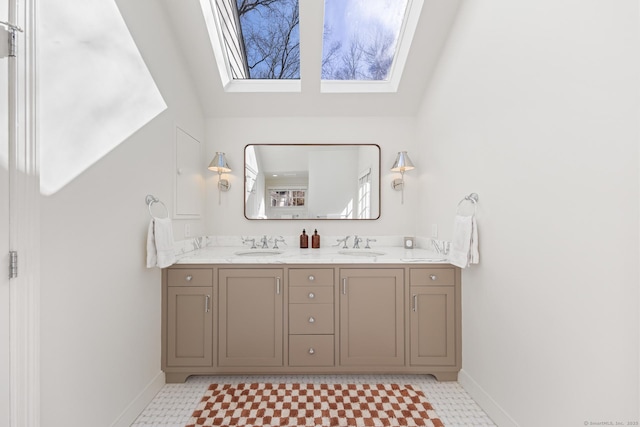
(534,106)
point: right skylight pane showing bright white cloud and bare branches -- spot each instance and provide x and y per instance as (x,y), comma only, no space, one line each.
(360,38)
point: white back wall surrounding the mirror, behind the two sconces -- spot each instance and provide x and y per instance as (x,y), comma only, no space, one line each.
(231,135)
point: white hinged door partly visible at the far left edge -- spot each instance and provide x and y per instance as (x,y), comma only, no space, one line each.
(4,235)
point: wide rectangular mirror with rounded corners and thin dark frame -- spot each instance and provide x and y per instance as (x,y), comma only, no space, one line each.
(312,181)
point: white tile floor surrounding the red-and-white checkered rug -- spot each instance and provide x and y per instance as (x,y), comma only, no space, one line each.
(174,404)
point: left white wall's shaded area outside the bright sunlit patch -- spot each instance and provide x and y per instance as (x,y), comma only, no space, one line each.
(100,305)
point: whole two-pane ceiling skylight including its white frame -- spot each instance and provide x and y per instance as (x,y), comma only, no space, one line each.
(258,43)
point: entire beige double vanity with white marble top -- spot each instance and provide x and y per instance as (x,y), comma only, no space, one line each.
(236,310)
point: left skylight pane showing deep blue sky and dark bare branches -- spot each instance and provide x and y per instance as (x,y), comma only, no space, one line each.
(270,30)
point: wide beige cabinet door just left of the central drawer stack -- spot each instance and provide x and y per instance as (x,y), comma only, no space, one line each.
(250,323)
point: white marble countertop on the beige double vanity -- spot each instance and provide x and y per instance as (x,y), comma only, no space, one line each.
(330,255)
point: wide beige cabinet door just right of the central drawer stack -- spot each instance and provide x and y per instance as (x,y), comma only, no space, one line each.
(371,317)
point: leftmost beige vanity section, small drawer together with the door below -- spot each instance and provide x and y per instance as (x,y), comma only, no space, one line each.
(189,306)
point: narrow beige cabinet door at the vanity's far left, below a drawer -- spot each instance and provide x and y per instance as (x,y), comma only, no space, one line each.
(189,326)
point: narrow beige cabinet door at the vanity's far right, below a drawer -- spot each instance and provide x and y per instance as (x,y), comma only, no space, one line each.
(433,325)
